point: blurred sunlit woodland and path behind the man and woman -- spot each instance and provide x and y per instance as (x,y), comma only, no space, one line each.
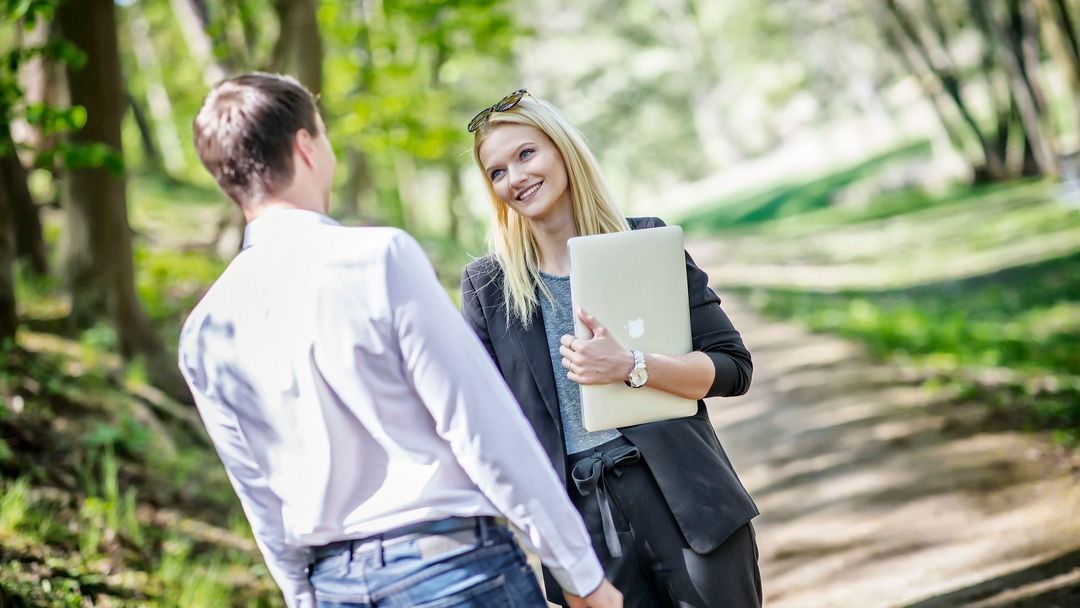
(885,193)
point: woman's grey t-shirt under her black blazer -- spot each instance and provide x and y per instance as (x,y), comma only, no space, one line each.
(559,321)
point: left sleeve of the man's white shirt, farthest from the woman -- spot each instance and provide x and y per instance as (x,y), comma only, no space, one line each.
(288,564)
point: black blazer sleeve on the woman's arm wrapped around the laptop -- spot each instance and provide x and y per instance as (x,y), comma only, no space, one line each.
(712,332)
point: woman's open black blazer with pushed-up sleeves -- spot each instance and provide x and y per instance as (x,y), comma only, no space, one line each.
(694,474)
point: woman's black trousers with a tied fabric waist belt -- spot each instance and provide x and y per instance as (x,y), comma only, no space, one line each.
(657,568)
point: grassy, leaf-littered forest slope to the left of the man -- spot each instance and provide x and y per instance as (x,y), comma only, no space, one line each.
(110,498)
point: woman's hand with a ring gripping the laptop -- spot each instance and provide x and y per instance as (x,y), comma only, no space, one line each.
(600,360)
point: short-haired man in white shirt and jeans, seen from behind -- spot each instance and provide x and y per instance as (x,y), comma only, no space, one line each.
(369,436)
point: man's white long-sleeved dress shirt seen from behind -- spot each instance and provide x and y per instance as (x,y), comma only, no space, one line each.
(346,397)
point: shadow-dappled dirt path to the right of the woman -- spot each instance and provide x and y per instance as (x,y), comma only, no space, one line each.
(874,493)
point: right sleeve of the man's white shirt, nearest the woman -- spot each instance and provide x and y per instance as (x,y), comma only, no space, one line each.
(477,415)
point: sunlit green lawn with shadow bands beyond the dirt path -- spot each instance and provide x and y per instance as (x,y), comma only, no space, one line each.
(978,287)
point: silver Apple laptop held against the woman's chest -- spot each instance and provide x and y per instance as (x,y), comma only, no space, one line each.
(634,283)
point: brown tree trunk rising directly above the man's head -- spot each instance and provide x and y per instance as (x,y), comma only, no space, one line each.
(300,48)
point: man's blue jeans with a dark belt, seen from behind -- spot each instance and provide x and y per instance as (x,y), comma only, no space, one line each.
(452,564)
